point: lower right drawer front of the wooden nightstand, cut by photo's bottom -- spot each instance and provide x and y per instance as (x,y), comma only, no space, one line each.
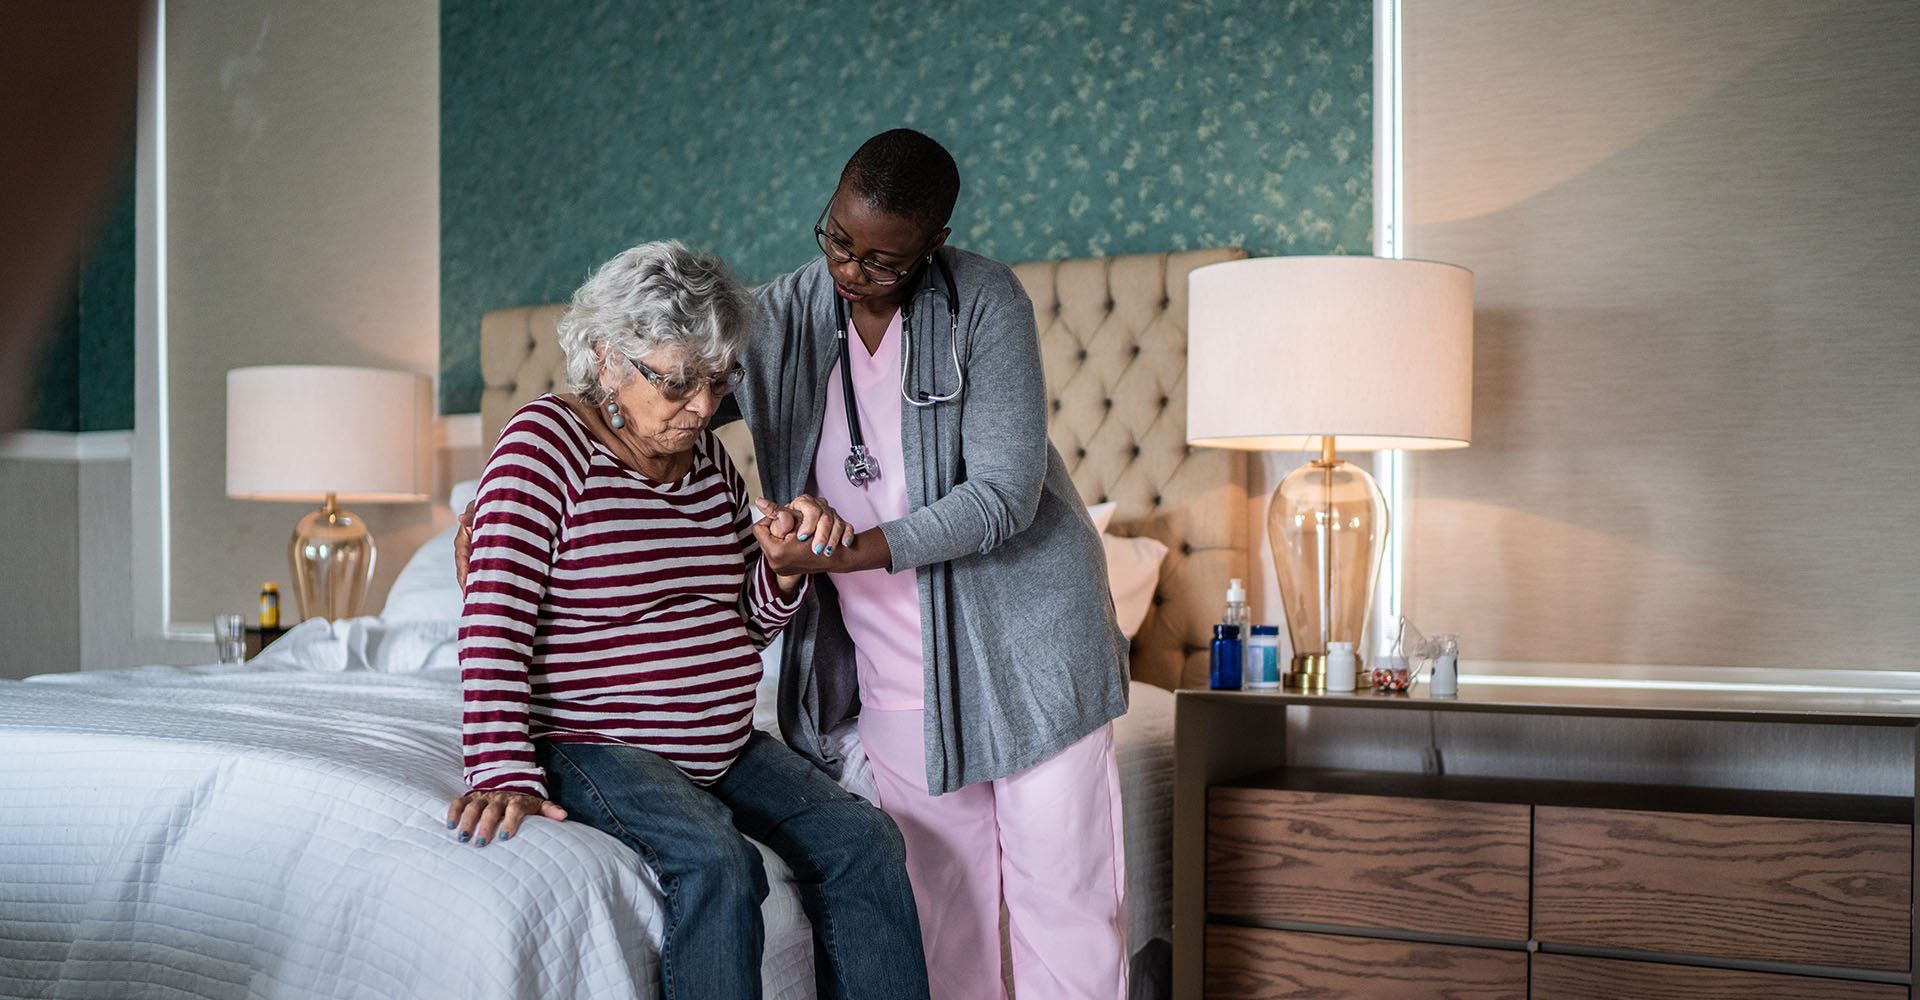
(1570,978)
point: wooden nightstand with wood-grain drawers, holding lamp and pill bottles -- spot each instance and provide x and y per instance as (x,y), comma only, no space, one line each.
(1358,886)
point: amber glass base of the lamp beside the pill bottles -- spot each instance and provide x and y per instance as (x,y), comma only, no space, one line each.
(1328,527)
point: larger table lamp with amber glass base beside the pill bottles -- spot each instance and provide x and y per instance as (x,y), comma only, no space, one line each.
(1293,354)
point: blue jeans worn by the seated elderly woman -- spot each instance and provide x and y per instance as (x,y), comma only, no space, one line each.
(846,855)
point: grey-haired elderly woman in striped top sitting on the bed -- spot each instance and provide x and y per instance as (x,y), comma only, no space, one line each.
(619,596)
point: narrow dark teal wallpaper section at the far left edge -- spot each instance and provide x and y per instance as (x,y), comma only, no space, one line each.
(87,371)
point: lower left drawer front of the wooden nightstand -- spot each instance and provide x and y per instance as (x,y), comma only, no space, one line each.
(1253,963)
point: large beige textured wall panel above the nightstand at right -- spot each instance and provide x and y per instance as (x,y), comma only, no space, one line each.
(1696,360)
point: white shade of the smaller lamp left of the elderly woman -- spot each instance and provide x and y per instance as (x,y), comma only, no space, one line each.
(297,433)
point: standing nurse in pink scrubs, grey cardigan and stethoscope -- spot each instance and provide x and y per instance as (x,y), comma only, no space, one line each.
(965,617)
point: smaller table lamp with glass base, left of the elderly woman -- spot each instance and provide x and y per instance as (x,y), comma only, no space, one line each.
(329,435)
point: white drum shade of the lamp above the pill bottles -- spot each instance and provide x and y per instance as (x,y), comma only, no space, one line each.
(1370,350)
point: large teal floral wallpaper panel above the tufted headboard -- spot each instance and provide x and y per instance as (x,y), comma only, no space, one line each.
(575,130)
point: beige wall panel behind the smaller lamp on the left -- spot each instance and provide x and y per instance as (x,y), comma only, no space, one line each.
(302,227)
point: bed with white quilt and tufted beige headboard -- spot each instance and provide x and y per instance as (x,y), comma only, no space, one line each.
(279,830)
